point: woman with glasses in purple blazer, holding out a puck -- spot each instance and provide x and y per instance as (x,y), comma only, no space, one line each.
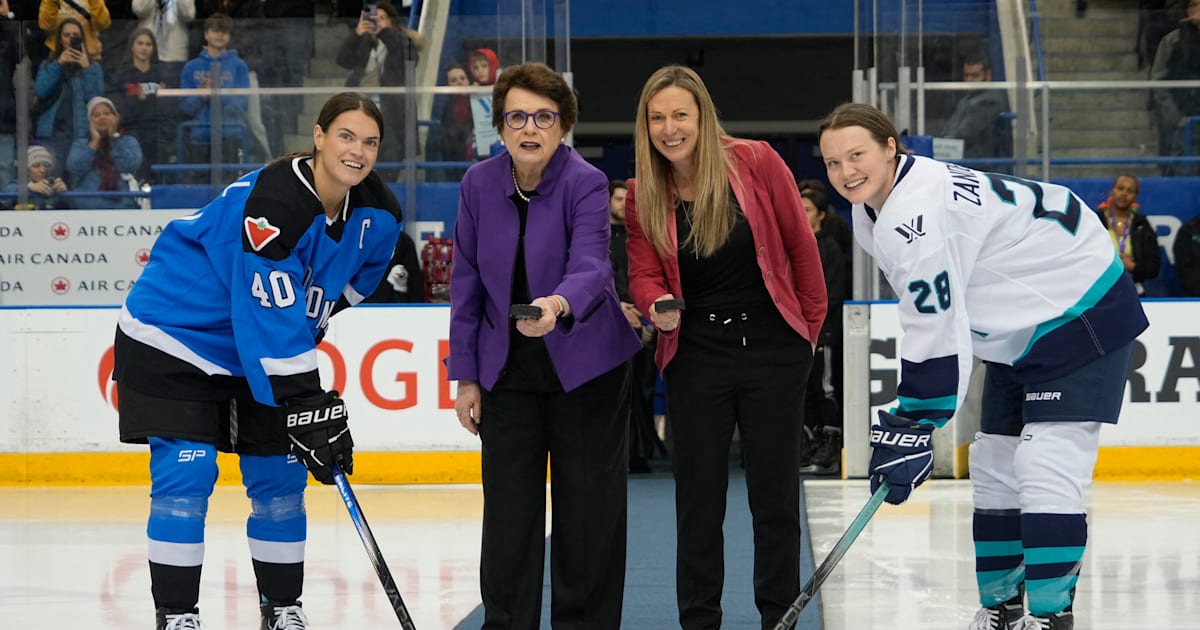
(533,230)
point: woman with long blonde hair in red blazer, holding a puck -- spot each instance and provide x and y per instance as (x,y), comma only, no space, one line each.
(718,221)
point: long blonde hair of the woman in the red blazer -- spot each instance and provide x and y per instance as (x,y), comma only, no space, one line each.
(713,215)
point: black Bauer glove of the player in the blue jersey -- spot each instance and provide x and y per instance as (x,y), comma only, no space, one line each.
(320,435)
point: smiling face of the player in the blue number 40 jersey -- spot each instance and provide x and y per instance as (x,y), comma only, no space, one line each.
(349,149)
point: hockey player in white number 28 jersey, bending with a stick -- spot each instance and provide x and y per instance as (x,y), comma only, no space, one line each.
(1024,277)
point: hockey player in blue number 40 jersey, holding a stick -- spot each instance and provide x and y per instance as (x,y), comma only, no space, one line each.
(217,352)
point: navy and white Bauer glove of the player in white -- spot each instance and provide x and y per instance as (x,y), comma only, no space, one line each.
(903,454)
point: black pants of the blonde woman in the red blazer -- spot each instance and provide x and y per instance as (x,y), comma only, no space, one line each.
(749,373)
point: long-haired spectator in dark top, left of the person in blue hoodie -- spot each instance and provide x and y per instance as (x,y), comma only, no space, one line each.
(134,91)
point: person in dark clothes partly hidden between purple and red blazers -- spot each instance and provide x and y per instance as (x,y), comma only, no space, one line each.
(644,439)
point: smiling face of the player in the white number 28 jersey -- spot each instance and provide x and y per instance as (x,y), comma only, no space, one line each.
(859,166)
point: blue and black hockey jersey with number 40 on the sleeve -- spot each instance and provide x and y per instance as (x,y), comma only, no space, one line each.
(241,292)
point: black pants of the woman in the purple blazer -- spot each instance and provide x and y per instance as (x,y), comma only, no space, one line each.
(585,436)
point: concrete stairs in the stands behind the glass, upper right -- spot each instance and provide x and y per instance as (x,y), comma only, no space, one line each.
(1096,47)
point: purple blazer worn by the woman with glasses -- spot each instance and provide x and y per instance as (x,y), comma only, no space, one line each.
(567,253)
